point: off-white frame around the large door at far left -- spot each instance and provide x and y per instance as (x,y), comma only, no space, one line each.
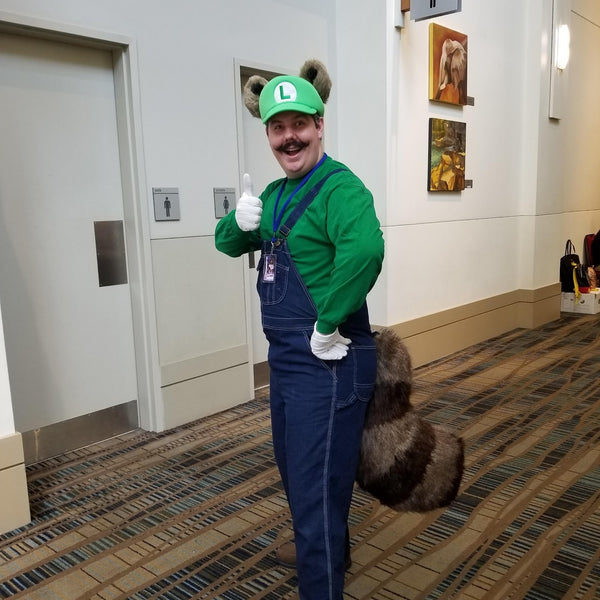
(127,101)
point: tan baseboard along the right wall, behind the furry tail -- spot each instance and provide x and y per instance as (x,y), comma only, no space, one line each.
(435,336)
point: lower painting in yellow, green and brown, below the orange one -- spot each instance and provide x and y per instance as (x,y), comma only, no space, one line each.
(447,154)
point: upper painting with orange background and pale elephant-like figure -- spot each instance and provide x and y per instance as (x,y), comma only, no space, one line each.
(447,65)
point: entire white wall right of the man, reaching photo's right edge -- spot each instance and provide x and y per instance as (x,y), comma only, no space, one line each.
(532,185)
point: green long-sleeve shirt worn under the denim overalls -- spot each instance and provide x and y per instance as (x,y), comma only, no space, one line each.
(337,244)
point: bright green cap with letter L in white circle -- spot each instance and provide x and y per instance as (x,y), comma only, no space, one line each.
(287,92)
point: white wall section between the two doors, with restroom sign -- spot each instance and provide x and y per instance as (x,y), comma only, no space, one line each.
(186,53)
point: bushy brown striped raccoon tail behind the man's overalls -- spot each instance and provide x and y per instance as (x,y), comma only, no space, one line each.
(407,463)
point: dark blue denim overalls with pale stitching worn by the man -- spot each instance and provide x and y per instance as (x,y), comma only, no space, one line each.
(317,415)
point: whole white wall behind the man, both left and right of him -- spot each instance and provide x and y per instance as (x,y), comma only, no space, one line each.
(534,181)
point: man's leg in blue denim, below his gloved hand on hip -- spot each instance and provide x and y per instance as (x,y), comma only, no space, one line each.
(324,420)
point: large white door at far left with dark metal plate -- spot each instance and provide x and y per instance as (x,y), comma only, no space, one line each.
(69,339)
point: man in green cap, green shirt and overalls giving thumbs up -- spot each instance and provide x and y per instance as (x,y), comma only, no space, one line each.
(321,252)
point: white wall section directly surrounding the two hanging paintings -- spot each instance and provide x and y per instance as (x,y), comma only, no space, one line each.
(449,249)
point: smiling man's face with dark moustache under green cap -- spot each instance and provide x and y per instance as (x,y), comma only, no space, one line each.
(295,140)
